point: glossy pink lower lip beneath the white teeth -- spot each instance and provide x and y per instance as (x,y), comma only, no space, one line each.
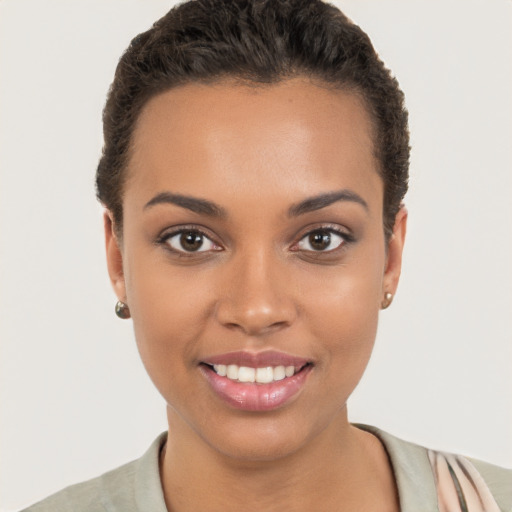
(256,397)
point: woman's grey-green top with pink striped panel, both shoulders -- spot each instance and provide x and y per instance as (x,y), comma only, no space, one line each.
(136,487)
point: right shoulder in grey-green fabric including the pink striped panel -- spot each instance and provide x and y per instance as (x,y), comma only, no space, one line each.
(434,475)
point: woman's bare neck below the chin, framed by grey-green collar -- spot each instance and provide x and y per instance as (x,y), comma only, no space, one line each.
(339,466)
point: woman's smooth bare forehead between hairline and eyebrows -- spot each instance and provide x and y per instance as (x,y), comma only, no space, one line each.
(295,136)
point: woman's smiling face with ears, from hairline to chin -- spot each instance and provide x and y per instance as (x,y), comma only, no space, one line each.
(253,260)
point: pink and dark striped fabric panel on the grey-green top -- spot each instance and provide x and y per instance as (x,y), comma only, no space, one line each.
(460,488)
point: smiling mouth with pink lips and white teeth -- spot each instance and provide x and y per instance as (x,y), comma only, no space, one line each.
(256,382)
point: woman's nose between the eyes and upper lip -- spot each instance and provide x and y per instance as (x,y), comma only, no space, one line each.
(256,295)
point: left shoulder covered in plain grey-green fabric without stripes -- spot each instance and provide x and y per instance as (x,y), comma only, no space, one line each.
(131,487)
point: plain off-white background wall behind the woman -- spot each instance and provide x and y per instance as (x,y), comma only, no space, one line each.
(75,400)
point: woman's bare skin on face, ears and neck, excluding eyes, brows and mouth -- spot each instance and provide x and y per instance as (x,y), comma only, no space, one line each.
(255,152)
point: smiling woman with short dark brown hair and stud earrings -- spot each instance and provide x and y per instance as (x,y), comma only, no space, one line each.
(255,161)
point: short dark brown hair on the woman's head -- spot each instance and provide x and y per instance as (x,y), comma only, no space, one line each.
(262,42)
